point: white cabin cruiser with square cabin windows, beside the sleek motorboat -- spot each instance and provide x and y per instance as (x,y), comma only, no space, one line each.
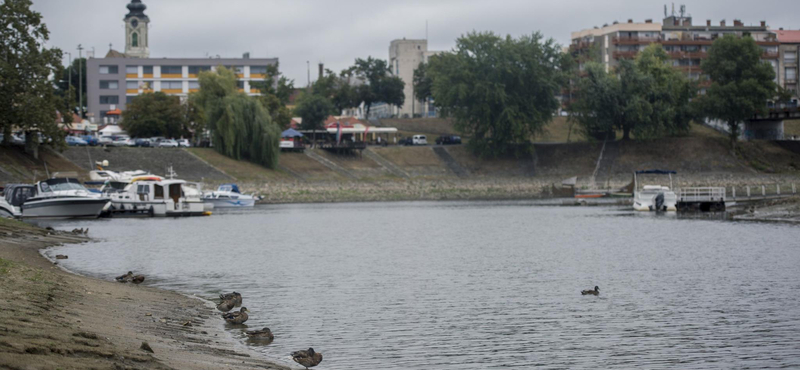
(155,196)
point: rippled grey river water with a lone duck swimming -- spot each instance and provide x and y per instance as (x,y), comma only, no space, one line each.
(478,285)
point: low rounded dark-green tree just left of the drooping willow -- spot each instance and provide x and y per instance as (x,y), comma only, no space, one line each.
(155,114)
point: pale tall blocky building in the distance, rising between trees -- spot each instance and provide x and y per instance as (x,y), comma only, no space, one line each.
(404,58)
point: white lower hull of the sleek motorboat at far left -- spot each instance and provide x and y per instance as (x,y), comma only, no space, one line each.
(64,207)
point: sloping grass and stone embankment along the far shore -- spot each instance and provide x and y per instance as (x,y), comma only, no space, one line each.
(447,172)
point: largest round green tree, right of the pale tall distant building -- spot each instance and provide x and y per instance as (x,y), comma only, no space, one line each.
(500,91)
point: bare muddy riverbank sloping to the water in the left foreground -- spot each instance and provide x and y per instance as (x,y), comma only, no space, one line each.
(52,319)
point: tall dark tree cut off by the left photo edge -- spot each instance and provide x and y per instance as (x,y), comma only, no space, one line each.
(27,97)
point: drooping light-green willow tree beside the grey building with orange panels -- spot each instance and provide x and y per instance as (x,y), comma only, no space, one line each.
(240,126)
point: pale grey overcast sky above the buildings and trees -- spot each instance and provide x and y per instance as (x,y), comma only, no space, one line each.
(337,32)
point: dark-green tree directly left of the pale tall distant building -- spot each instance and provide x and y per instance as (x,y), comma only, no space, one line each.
(379,86)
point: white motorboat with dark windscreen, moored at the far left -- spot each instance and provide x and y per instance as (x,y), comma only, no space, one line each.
(52,198)
